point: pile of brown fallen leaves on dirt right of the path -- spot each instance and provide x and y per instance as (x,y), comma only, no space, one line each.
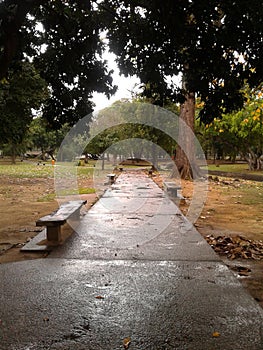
(236,247)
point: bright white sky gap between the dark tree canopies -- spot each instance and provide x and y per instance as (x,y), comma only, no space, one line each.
(125,85)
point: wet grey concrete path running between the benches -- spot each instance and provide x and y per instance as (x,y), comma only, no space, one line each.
(135,271)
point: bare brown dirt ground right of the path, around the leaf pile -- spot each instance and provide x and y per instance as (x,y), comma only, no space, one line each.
(227,213)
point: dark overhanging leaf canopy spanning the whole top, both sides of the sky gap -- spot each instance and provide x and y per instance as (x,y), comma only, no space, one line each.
(216,45)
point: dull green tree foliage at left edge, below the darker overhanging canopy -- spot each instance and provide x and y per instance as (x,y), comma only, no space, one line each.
(22,91)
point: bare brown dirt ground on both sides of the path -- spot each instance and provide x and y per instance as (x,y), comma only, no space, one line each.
(23,201)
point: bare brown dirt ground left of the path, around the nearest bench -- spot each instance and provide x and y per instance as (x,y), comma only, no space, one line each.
(22,202)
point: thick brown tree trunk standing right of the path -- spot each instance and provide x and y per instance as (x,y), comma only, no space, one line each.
(185,153)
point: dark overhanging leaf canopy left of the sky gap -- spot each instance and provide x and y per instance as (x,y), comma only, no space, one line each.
(62,39)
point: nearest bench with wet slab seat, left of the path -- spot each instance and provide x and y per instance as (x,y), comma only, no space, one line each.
(54,221)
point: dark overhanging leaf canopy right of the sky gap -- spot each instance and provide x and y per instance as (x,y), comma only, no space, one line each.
(216,45)
